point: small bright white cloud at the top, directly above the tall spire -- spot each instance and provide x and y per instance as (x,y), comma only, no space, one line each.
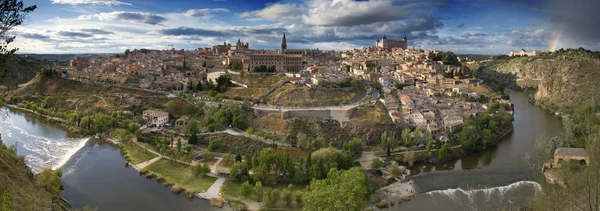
(274,12)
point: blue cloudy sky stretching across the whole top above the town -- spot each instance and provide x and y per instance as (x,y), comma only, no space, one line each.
(461,26)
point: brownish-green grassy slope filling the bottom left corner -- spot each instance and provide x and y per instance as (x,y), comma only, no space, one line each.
(17,179)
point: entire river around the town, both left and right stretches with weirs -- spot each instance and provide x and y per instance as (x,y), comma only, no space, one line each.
(95,173)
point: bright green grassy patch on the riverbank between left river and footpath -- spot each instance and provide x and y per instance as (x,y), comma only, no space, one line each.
(176,173)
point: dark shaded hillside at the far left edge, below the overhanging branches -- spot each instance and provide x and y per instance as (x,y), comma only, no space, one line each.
(22,69)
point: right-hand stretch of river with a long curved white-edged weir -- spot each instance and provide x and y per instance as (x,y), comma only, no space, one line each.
(499,178)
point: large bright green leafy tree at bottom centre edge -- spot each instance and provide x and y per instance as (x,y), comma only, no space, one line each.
(341,190)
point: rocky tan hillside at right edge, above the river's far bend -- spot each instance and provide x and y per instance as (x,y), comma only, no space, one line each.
(561,81)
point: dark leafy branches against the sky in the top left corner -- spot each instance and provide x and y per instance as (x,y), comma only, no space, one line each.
(12,14)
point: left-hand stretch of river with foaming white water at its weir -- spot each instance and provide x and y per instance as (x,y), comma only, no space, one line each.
(94,173)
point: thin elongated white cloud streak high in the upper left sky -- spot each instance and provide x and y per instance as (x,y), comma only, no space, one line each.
(139,17)
